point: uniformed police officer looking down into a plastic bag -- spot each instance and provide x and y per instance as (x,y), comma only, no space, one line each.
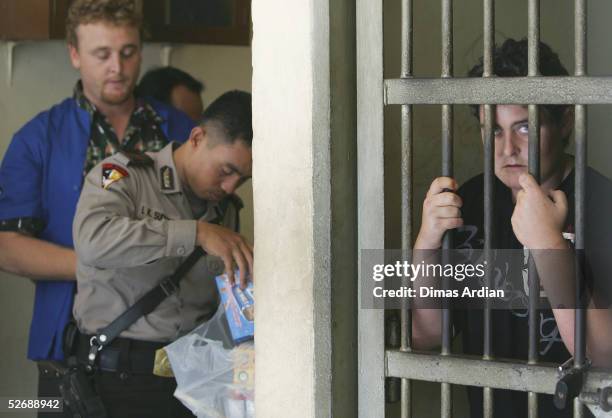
(137,218)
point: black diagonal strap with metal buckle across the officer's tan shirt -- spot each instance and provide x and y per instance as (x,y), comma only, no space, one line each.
(142,307)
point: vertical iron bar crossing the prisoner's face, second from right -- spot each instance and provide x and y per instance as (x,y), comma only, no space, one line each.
(534,168)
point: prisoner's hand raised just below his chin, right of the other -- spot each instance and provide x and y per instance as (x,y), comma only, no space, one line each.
(538,218)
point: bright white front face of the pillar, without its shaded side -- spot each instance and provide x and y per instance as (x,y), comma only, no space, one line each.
(283,103)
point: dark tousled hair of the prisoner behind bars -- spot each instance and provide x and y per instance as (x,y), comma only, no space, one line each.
(511,60)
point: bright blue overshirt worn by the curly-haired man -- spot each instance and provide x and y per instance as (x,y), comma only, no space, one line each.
(41,177)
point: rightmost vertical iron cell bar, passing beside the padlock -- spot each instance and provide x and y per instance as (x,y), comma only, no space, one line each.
(580,115)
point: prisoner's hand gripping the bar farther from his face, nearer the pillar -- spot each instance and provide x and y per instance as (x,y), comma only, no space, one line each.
(441,212)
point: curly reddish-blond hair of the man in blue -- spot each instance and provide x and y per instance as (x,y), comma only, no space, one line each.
(115,12)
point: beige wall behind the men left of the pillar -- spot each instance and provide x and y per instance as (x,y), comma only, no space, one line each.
(42,76)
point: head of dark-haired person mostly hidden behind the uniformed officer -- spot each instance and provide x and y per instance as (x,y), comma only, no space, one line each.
(175,87)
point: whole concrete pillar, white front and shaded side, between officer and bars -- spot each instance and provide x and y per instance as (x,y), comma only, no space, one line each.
(304,200)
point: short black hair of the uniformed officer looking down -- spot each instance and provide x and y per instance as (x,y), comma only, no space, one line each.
(232,111)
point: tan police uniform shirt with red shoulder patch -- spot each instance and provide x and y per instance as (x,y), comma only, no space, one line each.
(133,227)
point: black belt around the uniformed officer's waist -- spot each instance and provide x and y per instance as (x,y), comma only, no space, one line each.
(122,355)
